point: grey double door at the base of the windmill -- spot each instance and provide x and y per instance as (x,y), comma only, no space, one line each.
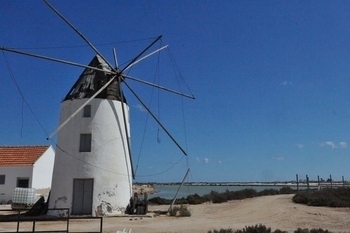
(82,196)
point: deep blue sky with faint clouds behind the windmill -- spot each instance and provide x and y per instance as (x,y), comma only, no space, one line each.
(271,81)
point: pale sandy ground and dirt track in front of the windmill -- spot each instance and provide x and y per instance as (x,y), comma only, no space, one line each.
(277,212)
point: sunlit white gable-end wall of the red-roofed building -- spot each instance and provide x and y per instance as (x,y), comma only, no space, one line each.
(43,167)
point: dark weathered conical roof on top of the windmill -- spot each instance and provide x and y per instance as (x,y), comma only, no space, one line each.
(90,81)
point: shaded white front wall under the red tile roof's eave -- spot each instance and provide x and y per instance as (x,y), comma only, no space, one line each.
(12,173)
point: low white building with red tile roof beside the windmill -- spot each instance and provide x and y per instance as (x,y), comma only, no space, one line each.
(25,167)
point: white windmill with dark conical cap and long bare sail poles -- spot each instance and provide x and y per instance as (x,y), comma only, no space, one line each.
(93,169)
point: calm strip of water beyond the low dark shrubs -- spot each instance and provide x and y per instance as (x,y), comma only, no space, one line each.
(169,191)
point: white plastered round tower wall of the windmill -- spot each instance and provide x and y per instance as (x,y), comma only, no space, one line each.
(108,162)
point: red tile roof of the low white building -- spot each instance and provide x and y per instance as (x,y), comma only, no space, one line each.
(11,156)
